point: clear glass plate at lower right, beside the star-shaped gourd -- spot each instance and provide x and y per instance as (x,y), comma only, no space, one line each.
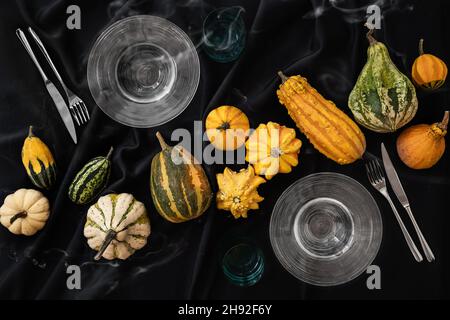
(326,229)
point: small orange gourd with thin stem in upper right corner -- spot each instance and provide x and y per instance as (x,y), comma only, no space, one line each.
(428,71)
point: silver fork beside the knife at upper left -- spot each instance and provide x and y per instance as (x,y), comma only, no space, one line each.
(76,105)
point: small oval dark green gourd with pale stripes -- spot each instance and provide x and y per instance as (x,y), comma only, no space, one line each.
(91,180)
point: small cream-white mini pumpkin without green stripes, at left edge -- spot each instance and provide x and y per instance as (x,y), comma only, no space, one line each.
(25,212)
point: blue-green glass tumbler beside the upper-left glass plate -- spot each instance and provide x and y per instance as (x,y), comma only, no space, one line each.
(224,34)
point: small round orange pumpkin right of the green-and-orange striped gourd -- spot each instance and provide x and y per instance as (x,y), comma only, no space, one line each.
(227,127)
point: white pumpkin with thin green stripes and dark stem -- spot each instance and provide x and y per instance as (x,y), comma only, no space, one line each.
(116,226)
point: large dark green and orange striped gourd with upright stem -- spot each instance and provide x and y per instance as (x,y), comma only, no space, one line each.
(179,187)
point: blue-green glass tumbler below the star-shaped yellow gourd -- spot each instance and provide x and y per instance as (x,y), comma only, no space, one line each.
(243,264)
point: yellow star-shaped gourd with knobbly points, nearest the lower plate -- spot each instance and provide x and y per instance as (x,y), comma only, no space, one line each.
(238,191)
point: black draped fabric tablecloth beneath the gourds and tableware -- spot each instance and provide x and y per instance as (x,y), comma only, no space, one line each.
(322,40)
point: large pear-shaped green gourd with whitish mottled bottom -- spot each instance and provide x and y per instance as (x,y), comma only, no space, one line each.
(383,99)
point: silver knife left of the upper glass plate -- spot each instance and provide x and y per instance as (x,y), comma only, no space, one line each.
(52,90)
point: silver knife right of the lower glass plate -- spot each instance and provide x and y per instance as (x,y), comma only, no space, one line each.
(401,195)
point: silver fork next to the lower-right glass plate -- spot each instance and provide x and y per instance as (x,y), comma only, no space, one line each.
(377,180)
